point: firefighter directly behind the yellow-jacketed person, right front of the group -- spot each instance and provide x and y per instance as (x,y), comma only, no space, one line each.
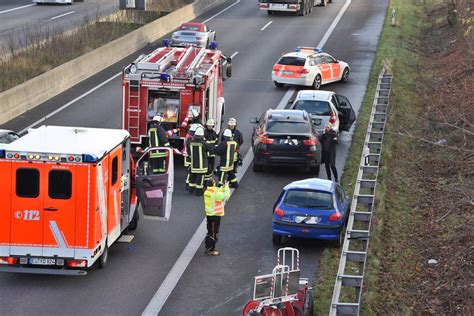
(226,151)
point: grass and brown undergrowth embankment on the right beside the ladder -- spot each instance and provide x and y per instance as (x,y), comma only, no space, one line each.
(425,195)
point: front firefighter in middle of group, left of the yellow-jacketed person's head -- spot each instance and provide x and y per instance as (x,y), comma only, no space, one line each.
(199,151)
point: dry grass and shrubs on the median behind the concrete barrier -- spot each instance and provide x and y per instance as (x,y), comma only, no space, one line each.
(39,50)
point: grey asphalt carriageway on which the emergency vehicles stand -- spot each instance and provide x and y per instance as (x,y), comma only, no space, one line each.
(209,286)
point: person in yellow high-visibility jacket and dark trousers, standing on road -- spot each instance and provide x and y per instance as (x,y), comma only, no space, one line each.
(214,201)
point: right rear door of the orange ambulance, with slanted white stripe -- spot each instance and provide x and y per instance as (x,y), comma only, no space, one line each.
(59,209)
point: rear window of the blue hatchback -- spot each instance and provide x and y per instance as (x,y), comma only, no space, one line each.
(308,199)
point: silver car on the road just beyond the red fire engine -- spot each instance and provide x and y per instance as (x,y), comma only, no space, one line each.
(193,33)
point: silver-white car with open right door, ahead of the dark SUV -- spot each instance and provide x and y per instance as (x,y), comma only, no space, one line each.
(325,106)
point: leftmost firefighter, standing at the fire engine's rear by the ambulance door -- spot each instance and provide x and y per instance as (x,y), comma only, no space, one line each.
(157,138)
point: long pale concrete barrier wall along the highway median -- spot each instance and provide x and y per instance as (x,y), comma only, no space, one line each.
(28,95)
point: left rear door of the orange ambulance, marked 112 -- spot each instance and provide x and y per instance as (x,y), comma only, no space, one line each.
(27,214)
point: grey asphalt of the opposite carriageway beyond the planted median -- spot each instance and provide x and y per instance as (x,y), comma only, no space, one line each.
(21,17)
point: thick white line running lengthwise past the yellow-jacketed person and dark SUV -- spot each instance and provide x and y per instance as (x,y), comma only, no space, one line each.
(172,278)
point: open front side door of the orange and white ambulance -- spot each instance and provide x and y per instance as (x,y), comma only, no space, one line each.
(155,191)
